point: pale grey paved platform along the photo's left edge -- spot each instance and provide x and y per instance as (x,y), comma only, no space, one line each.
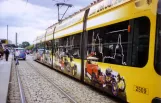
(5,68)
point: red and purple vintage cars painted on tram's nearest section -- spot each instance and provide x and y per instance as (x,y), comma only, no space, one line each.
(109,80)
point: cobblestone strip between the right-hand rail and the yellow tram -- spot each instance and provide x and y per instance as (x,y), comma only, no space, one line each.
(81,93)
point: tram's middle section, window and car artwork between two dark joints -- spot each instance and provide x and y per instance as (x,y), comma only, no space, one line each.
(66,56)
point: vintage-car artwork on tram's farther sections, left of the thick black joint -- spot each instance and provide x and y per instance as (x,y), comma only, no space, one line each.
(62,63)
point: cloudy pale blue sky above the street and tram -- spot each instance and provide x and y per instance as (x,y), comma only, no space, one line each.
(30,19)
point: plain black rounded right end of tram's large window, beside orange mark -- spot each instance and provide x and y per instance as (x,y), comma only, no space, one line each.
(141,41)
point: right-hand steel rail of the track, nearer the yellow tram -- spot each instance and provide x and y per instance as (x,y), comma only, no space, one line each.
(72,100)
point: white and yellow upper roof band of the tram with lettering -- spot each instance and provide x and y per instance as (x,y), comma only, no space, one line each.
(95,8)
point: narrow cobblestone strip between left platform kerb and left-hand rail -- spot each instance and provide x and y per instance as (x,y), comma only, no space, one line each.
(13,91)
